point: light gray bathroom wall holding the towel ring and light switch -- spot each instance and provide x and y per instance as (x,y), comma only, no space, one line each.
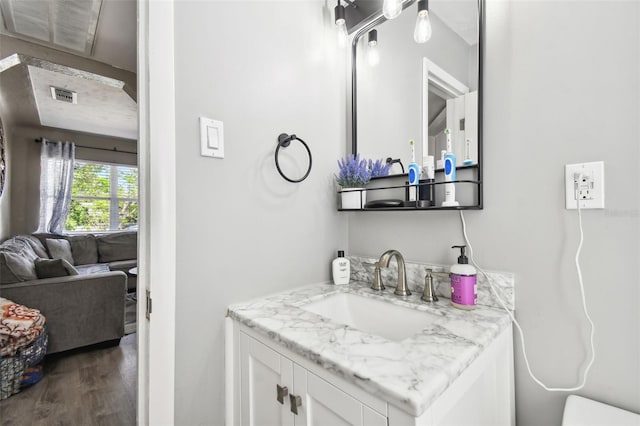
(263,68)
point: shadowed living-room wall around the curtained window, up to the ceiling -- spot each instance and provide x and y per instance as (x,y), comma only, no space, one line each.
(20,205)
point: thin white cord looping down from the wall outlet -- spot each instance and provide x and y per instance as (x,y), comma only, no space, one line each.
(513,318)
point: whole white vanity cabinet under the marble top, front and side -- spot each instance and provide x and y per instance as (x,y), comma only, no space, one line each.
(258,369)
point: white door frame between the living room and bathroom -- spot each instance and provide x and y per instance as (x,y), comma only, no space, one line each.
(157,224)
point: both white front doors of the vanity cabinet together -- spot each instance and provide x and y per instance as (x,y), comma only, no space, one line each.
(277,391)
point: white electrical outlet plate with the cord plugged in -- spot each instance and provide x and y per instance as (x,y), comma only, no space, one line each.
(584,184)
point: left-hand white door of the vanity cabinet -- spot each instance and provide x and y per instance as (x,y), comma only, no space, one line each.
(262,371)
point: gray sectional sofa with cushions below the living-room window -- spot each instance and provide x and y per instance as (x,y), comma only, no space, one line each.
(79,283)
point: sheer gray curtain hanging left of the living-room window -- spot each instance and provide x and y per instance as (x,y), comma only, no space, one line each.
(56,179)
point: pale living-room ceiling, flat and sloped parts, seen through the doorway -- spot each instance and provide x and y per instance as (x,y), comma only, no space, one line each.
(100,30)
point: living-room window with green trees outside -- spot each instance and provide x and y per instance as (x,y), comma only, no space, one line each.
(104,197)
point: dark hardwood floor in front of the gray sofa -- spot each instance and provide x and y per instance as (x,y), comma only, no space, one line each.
(89,387)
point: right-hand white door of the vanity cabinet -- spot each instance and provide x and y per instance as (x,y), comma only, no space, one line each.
(326,405)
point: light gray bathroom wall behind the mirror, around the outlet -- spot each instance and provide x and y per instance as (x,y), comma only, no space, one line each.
(562,86)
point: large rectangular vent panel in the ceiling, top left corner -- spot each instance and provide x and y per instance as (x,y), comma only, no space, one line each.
(67,24)
